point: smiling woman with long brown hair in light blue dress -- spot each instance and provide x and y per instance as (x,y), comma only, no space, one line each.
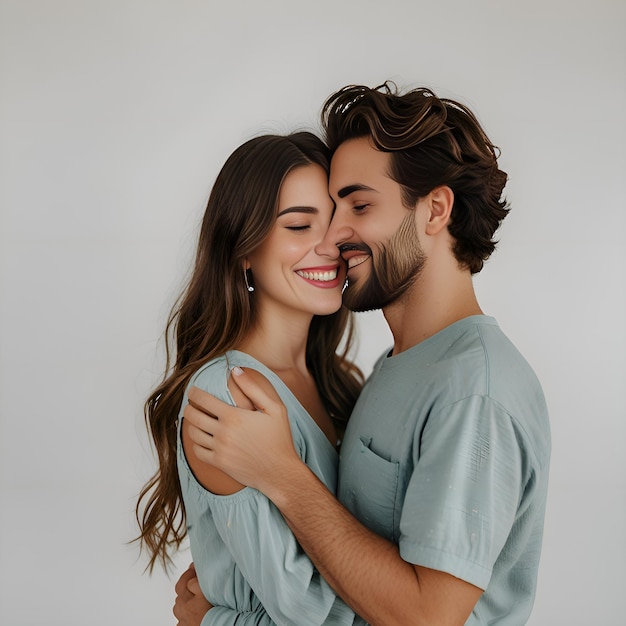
(260,297)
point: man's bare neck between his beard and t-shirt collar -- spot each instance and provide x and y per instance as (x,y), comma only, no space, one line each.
(435,301)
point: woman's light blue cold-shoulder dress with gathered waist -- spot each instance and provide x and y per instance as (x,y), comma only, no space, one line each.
(248,562)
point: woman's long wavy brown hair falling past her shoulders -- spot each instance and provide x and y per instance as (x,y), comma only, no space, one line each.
(216,311)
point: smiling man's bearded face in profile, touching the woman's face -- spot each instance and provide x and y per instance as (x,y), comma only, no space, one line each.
(376,233)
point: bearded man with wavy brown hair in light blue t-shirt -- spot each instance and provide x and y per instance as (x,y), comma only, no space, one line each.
(444,465)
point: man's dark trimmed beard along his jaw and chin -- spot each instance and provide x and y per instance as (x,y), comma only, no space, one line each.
(394,269)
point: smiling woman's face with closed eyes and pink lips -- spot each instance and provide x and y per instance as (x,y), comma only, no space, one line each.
(287,272)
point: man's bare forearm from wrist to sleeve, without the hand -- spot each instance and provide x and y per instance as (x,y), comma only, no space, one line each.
(366,570)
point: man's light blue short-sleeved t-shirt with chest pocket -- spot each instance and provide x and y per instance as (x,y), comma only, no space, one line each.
(447,454)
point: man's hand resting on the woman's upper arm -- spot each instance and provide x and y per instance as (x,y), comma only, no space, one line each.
(254,447)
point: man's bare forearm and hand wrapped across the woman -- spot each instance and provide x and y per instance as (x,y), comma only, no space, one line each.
(366,570)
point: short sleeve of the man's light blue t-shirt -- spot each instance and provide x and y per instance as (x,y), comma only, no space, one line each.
(465,490)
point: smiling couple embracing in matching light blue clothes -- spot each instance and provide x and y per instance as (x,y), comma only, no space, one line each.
(309,497)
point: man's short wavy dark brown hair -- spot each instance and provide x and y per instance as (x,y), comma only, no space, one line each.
(433,142)
